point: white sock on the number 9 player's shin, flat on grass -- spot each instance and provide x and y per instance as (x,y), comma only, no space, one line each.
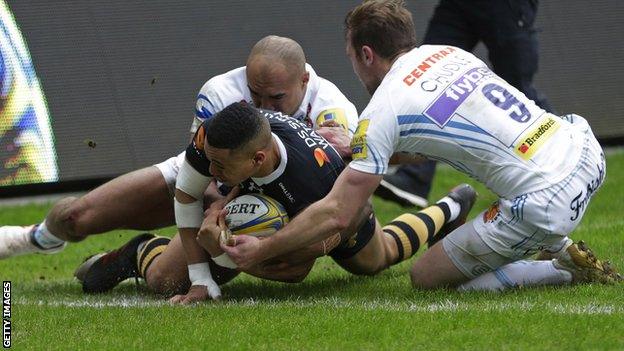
(518,274)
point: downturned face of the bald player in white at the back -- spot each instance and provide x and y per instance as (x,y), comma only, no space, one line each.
(276,88)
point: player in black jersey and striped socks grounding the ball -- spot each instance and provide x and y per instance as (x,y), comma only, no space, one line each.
(278,156)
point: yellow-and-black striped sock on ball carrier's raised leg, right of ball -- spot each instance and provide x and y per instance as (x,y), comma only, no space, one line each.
(410,231)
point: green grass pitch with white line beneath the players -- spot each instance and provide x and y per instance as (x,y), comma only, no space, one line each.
(330,310)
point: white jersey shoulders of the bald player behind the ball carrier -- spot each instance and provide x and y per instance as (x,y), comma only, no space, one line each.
(322,101)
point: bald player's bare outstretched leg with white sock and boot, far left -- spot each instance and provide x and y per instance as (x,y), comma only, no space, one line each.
(137,200)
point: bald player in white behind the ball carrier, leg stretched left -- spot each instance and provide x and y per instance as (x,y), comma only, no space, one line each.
(276,77)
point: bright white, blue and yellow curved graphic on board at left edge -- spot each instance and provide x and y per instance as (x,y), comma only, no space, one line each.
(27,153)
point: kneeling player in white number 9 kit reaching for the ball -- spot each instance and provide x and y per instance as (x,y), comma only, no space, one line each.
(443,103)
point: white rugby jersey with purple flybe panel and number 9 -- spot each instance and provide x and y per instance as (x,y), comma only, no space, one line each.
(444,103)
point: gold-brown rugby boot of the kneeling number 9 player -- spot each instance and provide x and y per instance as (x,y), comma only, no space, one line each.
(585,267)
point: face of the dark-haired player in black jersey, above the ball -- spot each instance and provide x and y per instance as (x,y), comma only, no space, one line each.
(229,166)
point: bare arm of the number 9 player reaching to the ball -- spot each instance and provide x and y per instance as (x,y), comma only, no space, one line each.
(319,221)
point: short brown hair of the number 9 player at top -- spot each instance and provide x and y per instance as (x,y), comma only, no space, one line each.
(384,25)
